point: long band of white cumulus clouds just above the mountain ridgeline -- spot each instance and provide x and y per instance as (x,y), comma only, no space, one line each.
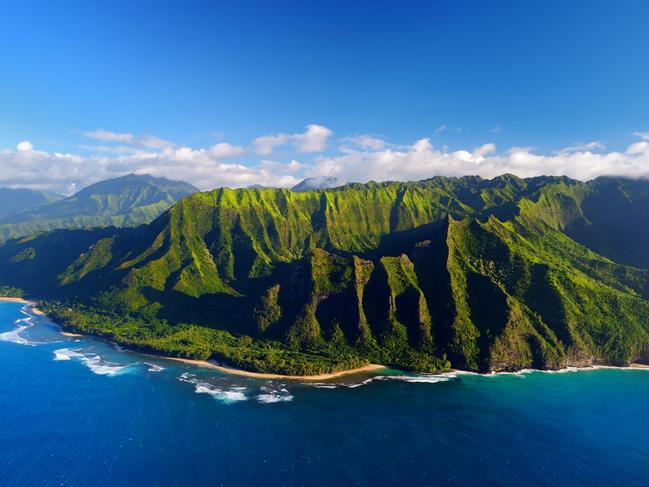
(358,158)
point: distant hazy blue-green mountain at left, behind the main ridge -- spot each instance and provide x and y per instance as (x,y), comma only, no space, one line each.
(125,201)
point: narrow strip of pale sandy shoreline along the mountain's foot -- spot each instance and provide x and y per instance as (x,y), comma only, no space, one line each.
(369,368)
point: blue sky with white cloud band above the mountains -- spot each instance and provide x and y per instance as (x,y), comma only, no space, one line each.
(240,93)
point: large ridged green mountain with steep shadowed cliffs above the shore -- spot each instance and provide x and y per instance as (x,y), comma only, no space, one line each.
(483,275)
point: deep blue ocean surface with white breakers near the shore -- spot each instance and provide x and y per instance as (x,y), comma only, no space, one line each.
(85,412)
